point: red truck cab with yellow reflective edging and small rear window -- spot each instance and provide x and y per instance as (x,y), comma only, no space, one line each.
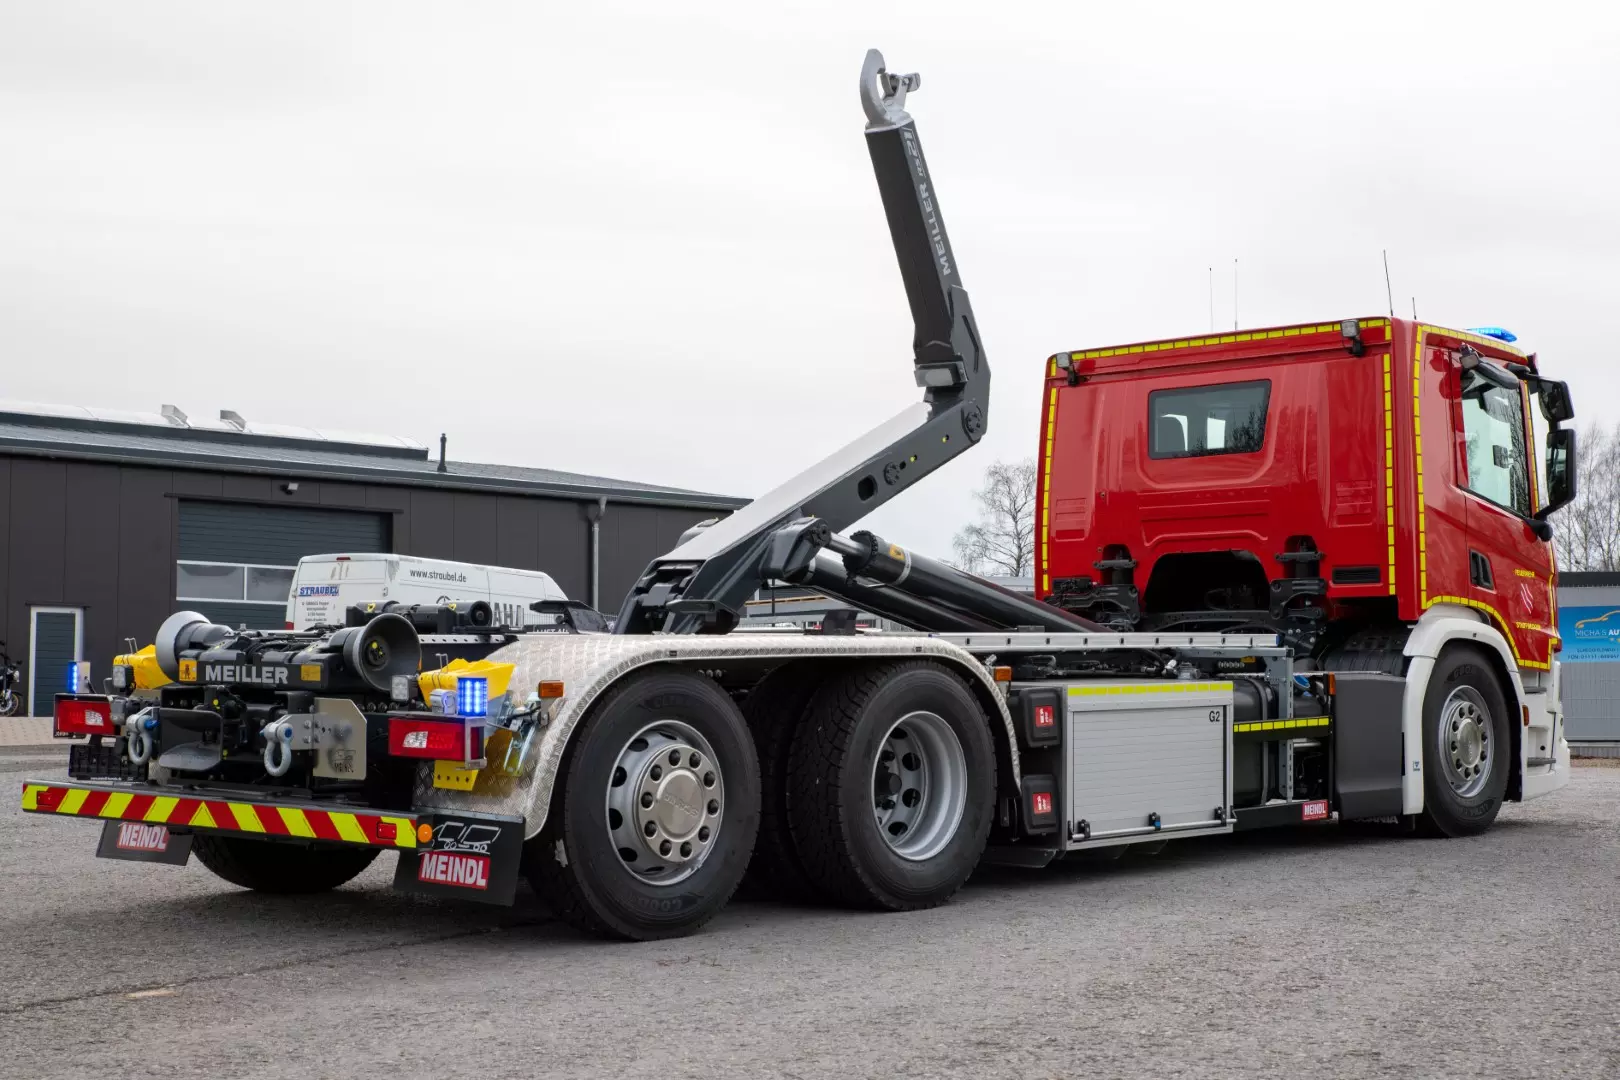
(1318,482)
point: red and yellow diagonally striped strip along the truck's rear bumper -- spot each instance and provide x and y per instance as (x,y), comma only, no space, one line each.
(226,817)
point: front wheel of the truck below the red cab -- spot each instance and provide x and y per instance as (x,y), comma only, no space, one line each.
(1467,746)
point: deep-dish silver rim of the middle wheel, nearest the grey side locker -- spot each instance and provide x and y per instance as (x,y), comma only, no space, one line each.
(919,786)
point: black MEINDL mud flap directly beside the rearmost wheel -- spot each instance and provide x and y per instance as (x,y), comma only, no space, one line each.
(467,857)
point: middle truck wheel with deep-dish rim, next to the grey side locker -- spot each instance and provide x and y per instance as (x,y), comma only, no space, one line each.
(892,786)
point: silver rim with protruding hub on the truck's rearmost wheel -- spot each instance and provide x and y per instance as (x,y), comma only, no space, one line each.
(665,801)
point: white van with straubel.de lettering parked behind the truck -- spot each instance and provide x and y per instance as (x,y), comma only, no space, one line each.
(326,585)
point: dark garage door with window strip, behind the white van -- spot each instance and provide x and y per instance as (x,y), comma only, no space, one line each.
(237,561)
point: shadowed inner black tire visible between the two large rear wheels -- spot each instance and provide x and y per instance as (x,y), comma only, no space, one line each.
(775,713)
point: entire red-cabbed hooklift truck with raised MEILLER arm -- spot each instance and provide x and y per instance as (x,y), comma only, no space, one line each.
(1285,576)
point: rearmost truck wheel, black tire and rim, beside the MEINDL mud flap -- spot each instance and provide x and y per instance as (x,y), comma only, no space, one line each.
(655,814)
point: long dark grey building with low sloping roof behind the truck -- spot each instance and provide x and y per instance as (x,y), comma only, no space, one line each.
(109,522)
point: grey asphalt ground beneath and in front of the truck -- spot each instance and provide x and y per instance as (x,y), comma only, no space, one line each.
(1323,951)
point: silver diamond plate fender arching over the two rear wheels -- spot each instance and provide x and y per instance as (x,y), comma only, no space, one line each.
(590,665)
